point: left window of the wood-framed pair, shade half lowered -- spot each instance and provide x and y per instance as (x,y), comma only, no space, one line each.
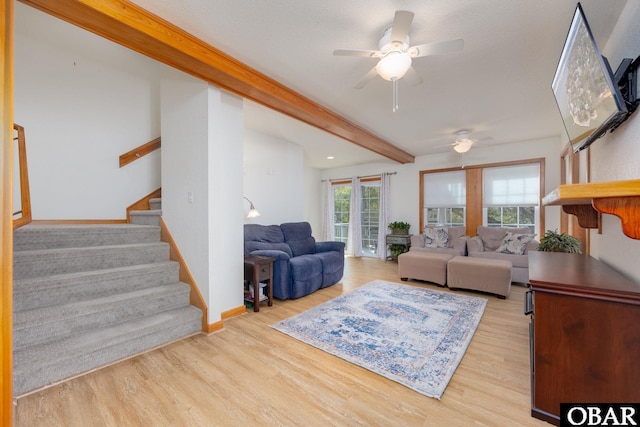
(445,198)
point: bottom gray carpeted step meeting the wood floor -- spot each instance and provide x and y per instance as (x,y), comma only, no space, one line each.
(43,365)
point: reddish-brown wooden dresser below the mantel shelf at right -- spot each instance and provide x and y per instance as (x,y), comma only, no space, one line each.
(584,332)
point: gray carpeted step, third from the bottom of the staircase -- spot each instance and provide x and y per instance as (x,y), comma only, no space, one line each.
(30,293)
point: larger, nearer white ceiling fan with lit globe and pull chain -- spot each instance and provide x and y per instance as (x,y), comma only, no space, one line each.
(395,54)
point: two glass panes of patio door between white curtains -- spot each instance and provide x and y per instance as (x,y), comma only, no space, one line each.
(369,213)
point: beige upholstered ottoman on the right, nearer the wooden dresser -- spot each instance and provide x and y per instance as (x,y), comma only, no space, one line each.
(480,274)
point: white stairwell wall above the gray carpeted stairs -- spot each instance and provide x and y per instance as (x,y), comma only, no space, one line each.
(83,102)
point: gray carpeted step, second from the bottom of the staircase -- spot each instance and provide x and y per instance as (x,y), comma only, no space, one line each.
(37,326)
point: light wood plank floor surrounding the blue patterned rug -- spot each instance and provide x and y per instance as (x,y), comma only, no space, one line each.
(249,373)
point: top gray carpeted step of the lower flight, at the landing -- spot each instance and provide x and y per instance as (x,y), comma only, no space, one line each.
(33,237)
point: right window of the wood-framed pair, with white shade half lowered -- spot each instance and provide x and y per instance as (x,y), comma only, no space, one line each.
(511,196)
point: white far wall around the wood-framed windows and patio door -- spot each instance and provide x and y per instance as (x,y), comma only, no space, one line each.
(405,185)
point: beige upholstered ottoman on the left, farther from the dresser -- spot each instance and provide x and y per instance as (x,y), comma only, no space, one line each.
(428,266)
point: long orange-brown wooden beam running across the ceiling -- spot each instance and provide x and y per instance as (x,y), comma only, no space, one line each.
(136,28)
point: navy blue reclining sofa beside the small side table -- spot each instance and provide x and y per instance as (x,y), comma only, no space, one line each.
(302,265)
